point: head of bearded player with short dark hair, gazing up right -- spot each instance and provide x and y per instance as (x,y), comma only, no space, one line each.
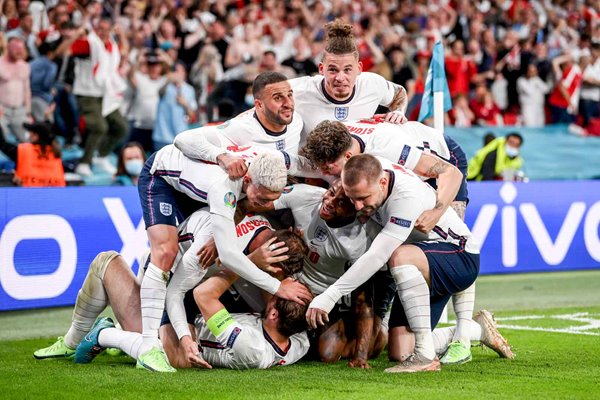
(277,103)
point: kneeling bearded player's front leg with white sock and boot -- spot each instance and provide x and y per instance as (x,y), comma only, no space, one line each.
(410,269)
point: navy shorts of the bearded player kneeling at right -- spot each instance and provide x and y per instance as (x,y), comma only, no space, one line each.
(451,270)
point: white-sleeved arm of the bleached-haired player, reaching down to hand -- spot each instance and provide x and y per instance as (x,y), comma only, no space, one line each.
(233,259)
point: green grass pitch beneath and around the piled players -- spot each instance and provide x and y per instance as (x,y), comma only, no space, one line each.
(548,365)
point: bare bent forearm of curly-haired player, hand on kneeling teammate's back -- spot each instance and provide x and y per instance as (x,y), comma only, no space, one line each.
(448,179)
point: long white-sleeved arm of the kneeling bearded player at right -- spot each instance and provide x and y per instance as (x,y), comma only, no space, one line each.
(365,267)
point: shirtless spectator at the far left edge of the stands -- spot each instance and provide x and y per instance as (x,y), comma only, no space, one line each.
(15,89)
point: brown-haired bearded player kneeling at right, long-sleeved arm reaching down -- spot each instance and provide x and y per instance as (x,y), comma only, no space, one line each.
(443,262)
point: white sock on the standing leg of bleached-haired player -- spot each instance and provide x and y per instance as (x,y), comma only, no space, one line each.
(152,298)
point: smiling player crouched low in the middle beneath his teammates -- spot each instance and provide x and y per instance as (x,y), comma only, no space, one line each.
(336,239)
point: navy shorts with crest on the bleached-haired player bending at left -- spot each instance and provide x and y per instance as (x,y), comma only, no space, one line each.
(161,203)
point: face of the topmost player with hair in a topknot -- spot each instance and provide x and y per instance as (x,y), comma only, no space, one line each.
(340,72)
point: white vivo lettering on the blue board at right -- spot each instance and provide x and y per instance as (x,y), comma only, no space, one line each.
(553,251)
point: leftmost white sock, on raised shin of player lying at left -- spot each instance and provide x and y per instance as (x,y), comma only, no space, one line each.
(91,301)
